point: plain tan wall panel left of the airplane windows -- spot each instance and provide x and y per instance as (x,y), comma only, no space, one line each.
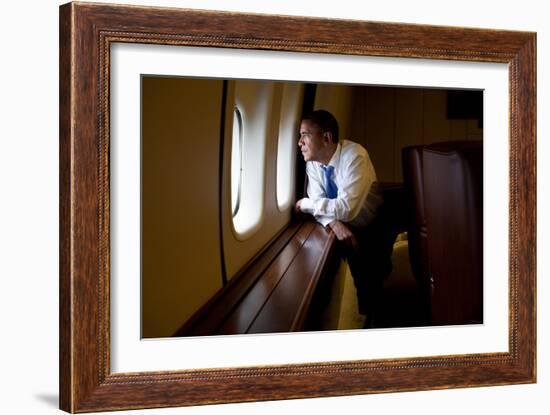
(181,261)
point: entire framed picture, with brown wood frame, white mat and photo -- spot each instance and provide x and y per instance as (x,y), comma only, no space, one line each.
(191,272)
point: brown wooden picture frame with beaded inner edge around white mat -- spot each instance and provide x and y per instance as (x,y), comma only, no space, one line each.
(86,33)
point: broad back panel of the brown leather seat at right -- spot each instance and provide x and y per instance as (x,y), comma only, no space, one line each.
(453,197)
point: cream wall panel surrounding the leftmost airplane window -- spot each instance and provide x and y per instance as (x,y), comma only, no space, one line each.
(238,250)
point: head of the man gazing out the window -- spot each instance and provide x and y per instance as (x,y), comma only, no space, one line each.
(318,136)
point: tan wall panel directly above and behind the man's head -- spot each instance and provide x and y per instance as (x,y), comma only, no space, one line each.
(338,100)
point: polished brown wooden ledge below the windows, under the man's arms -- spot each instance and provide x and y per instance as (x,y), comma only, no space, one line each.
(276,292)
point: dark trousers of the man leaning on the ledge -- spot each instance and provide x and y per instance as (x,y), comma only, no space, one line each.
(370,263)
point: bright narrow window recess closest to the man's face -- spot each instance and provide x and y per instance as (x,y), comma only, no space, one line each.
(286,149)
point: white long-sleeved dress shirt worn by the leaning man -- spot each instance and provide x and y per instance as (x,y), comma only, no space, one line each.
(358,193)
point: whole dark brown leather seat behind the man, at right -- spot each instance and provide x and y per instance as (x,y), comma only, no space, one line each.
(444,187)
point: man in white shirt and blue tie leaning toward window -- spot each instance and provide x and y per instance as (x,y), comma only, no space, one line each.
(343,194)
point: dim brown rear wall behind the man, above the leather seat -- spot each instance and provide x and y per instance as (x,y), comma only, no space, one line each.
(386,119)
